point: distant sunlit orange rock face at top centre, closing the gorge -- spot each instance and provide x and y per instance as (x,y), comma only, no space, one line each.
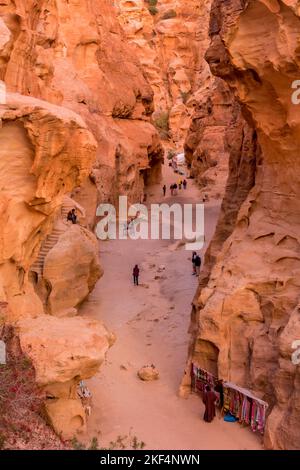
(170,45)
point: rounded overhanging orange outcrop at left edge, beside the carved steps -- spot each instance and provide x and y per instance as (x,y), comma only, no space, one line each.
(38,166)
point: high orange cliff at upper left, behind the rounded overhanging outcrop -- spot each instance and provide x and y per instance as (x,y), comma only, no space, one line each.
(74,54)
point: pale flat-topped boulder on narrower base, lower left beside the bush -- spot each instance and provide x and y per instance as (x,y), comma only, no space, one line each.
(63,353)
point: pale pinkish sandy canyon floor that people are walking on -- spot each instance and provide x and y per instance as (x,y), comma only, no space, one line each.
(151,323)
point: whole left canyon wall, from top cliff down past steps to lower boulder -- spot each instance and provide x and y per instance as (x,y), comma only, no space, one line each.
(76,122)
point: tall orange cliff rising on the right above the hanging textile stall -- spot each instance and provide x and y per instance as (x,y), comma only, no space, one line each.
(246,314)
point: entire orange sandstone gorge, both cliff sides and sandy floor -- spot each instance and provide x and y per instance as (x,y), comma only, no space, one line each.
(98,99)
